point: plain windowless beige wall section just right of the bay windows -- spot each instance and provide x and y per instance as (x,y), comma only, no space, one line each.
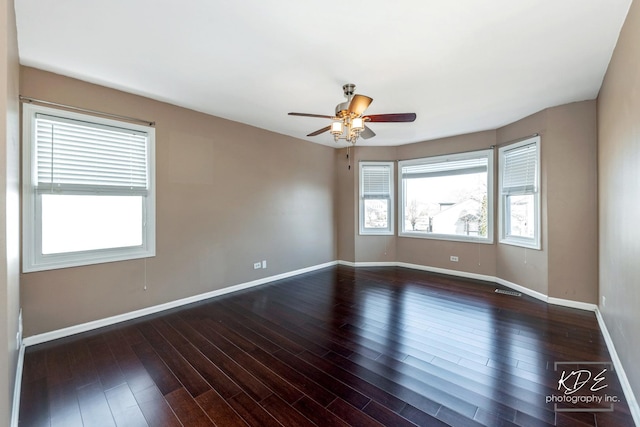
(572,201)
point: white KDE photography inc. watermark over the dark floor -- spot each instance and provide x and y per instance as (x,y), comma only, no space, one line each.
(583,387)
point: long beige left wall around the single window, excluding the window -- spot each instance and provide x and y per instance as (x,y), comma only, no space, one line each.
(228,195)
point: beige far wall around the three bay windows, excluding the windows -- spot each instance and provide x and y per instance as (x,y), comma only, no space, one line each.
(566,267)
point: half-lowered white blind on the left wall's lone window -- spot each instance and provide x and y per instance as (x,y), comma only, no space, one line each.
(75,156)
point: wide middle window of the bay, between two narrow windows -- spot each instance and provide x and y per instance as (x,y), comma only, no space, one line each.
(448,197)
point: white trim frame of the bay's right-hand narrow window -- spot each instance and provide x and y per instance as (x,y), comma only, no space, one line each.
(525,242)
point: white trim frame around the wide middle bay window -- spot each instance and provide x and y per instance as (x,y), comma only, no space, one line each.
(450,237)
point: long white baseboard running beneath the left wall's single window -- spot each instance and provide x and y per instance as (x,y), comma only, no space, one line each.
(84,327)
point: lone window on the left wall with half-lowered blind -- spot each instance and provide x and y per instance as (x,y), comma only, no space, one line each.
(88,189)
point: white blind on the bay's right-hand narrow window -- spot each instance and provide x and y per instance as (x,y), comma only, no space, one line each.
(520,170)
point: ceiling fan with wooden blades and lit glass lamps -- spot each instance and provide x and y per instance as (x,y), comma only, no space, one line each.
(349,121)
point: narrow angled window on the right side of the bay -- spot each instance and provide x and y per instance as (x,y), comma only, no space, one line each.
(519,193)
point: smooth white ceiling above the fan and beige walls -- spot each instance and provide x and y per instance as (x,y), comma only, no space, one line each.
(461,66)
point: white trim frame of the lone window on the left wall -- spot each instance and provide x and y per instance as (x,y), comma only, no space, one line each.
(32,257)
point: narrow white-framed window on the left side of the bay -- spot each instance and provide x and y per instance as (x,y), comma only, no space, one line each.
(376,198)
